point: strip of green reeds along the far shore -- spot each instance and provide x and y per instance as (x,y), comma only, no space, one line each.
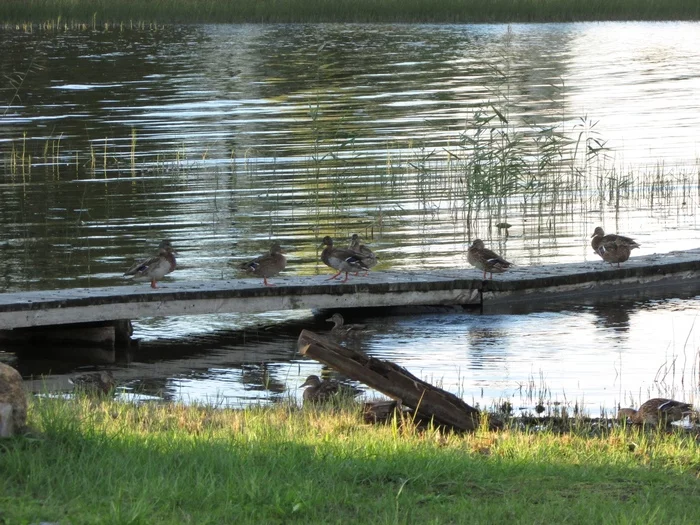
(106,13)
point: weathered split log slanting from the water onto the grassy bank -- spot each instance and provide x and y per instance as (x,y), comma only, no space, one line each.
(428,401)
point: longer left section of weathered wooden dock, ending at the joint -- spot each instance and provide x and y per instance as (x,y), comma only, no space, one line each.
(240,295)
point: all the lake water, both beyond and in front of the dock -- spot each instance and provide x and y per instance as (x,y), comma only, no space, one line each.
(420,138)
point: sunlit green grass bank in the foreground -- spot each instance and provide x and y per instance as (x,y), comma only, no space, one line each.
(105,461)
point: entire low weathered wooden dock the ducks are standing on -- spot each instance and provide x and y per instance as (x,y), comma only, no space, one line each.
(379,289)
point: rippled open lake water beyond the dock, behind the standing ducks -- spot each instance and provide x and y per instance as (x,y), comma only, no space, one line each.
(139,136)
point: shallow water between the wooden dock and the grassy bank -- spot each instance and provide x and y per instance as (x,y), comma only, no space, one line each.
(590,353)
